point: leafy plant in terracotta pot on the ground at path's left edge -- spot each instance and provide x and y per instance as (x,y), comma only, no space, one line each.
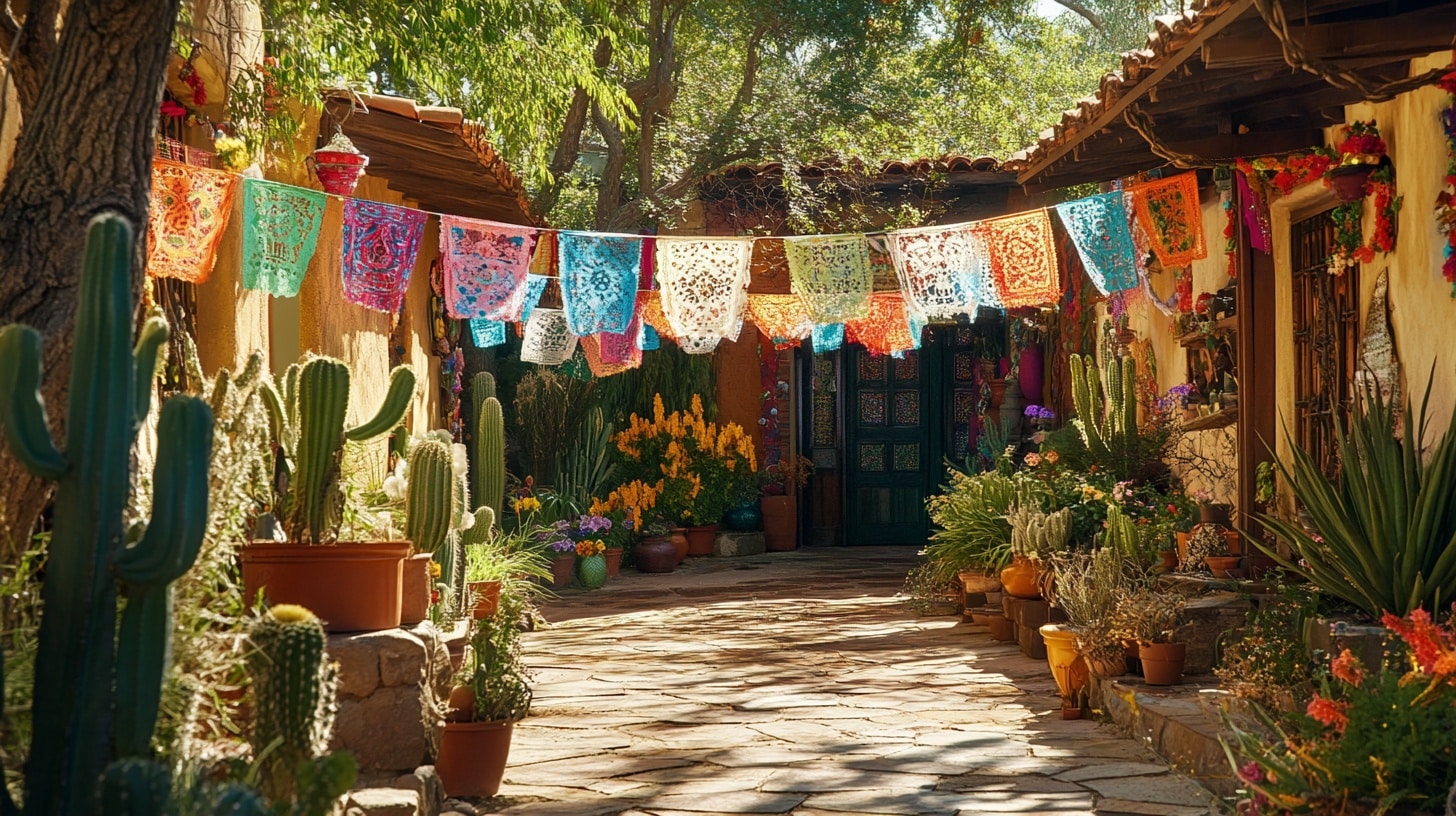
(493,693)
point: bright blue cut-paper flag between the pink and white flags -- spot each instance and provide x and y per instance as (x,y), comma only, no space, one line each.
(599,280)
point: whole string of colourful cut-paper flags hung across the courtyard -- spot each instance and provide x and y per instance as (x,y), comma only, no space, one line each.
(624,294)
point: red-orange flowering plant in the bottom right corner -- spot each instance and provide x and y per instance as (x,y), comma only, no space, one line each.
(1369,741)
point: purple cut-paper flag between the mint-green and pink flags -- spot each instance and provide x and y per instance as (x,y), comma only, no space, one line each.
(381,244)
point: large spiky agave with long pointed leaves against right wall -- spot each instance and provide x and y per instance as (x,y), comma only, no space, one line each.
(1385,528)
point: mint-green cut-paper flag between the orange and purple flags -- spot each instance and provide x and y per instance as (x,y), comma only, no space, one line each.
(280,232)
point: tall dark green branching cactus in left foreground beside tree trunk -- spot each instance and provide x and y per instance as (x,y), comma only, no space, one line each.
(97,684)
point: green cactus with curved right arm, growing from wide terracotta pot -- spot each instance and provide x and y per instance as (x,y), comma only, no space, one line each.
(309,417)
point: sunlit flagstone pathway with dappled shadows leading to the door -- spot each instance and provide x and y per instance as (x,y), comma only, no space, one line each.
(799,684)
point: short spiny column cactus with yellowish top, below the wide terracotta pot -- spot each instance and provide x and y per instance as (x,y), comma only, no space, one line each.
(293,696)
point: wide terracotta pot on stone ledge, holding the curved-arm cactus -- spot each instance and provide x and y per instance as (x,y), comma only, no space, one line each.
(352,586)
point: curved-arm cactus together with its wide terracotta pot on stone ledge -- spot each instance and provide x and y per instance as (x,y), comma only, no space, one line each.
(352,586)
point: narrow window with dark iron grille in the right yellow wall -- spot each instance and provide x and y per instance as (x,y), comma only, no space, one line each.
(1327,317)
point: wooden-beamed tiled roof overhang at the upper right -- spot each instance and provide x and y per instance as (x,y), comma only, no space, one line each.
(1215,85)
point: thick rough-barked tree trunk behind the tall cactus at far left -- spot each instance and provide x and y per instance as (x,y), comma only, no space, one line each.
(85,146)
